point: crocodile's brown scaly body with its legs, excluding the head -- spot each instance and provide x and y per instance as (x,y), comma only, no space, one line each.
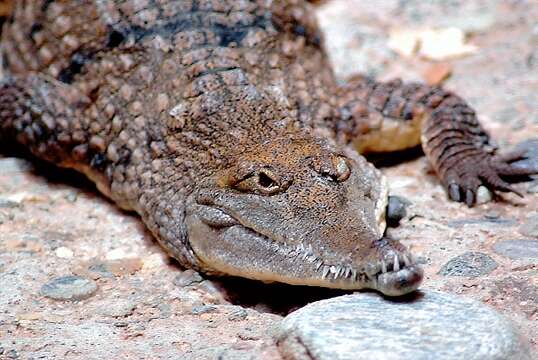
(147,97)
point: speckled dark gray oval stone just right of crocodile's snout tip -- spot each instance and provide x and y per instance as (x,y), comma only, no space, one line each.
(470,264)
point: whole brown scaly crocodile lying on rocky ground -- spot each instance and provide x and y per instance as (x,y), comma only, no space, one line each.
(222,125)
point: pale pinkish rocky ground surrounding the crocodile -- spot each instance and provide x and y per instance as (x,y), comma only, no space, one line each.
(121,297)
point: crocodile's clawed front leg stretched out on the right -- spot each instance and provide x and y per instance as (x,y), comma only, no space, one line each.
(380,117)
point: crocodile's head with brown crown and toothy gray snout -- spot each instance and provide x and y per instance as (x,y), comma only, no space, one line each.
(300,212)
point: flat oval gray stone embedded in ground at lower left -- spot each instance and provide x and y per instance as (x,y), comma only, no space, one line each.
(69,288)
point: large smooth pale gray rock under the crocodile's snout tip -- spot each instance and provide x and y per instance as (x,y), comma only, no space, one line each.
(433,325)
